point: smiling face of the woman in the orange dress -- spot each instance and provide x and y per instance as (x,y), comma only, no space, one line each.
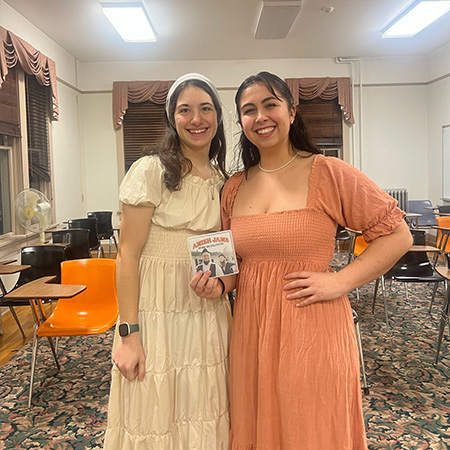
(265,119)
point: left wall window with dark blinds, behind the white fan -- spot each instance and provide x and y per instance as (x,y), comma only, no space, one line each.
(25,108)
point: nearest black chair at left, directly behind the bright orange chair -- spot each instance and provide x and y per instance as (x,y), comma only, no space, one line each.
(44,260)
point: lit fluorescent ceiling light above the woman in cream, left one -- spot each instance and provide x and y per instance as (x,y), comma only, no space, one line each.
(130,21)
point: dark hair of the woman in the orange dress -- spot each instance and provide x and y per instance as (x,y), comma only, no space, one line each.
(299,135)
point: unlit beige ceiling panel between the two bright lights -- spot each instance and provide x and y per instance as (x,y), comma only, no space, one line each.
(276,19)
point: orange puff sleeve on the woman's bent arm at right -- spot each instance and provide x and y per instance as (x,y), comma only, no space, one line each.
(353,200)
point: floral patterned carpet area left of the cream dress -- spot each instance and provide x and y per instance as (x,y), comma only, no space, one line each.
(69,407)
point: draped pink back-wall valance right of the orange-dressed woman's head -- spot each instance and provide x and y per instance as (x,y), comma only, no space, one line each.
(325,88)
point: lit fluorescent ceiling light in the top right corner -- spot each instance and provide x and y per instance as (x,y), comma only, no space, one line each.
(416,18)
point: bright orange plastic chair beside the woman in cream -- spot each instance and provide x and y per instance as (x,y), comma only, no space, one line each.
(94,311)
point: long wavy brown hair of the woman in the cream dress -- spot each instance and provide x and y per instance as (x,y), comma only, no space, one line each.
(175,164)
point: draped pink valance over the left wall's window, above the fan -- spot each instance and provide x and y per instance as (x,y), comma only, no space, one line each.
(14,50)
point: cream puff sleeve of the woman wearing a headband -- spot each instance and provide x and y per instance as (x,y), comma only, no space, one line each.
(143,184)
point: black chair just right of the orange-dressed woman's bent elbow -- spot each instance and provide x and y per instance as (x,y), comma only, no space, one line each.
(412,267)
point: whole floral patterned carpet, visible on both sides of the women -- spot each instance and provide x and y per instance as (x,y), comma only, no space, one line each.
(408,407)
